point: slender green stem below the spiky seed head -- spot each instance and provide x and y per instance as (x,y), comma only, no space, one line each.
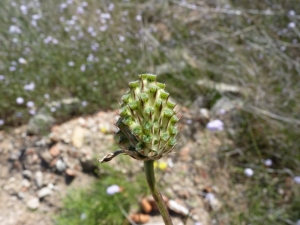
(150,177)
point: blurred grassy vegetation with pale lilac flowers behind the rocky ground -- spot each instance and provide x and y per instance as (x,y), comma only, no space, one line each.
(89,50)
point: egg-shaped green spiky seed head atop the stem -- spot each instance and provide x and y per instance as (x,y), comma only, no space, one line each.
(147,123)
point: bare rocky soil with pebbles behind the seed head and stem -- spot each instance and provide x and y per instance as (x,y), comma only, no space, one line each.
(36,172)
